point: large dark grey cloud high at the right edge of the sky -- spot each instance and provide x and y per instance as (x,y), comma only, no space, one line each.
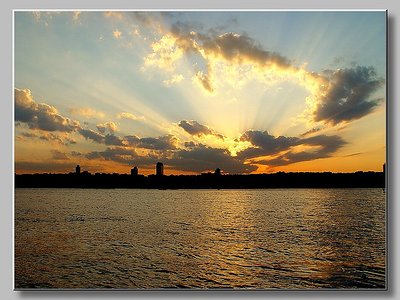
(348,95)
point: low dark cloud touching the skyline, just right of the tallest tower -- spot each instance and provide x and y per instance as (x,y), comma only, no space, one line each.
(202,158)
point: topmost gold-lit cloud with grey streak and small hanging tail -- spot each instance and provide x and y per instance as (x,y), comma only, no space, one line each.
(229,47)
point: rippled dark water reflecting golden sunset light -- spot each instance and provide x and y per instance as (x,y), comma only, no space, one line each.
(262,239)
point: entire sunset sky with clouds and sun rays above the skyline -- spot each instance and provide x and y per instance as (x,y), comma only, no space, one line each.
(245,91)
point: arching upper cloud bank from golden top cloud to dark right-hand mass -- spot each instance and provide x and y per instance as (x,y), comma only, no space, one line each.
(335,96)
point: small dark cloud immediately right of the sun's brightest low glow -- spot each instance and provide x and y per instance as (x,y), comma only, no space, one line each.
(265,144)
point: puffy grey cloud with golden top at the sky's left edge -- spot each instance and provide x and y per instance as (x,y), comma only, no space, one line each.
(39,115)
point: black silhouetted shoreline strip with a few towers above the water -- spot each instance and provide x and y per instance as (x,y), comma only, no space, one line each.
(206,180)
